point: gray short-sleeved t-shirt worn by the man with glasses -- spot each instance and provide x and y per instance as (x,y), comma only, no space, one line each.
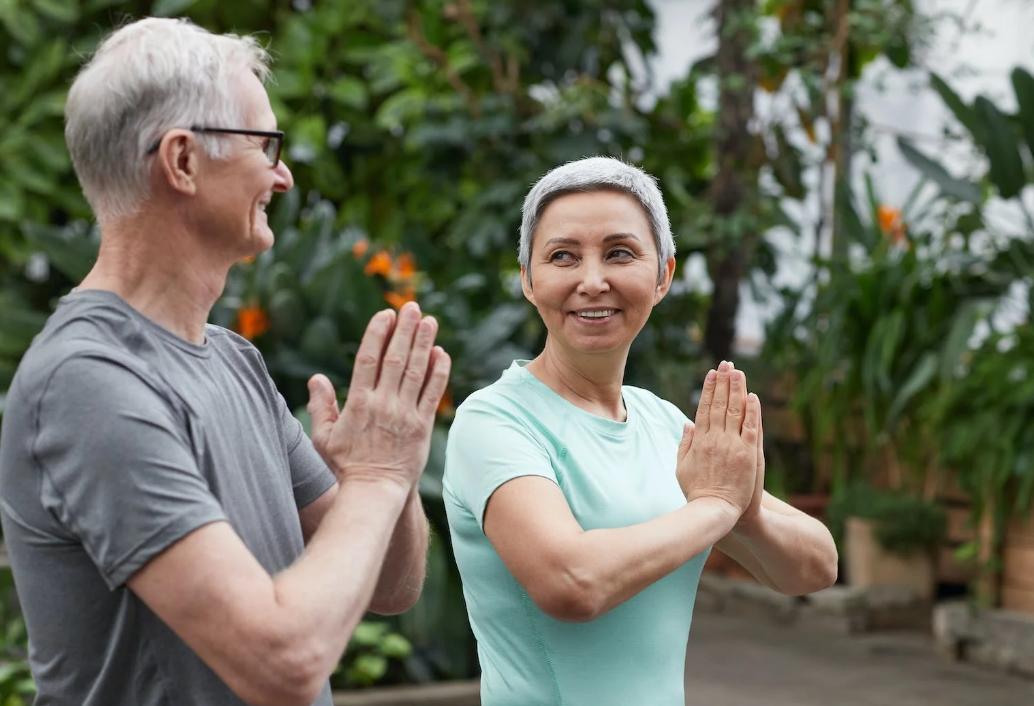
(119,439)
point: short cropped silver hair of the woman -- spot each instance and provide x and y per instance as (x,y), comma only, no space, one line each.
(597,174)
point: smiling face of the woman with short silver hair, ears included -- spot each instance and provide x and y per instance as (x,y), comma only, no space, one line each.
(594,271)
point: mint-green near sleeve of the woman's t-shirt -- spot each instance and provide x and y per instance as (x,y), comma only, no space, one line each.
(489,447)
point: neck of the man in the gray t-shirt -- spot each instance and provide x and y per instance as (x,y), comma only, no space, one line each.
(161,272)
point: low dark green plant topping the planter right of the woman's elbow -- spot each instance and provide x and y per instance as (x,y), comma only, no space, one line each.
(904,525)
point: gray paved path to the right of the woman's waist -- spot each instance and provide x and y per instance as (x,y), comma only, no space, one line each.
(754,662)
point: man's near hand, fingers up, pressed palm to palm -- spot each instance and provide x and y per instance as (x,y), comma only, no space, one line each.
(384,432)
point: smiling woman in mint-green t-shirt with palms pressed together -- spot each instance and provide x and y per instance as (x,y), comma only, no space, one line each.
(583,510)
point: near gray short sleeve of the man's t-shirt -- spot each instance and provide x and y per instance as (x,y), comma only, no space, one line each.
(117,465)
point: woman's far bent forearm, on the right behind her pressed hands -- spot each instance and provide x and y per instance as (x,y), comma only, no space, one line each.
(794,555)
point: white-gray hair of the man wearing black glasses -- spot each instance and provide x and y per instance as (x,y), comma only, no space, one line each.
(146,79)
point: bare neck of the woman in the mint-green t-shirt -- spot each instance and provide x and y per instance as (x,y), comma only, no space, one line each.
(590,383)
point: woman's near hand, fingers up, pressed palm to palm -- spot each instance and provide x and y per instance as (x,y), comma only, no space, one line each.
(719,456)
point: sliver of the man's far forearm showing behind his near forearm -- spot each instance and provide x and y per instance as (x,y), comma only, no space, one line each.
(406,564)
